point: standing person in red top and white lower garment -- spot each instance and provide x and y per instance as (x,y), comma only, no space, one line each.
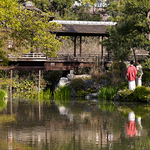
(131,75)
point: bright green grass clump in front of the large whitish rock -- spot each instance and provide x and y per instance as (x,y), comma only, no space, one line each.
(62,93)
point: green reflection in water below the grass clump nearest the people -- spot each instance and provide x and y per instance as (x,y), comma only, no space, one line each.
(107,106)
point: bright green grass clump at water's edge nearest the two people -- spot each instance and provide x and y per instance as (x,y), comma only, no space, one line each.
(107,93)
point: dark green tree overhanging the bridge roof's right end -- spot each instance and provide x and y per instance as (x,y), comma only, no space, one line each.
(132,29)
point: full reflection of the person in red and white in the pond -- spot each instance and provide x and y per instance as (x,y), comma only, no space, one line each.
(131,125)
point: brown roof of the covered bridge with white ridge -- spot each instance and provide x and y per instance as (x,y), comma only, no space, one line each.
(83,28)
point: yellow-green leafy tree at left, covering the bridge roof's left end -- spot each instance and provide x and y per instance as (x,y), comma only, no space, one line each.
(28,30)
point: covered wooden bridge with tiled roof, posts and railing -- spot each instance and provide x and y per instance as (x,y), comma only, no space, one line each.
(38,61)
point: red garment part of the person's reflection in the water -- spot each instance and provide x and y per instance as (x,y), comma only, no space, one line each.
(131,128)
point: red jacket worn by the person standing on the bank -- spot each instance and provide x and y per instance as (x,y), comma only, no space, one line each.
(131,73)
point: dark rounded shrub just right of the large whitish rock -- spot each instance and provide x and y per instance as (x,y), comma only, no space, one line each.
(77,84)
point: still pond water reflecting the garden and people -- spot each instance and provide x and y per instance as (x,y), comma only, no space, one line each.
(73,125)
